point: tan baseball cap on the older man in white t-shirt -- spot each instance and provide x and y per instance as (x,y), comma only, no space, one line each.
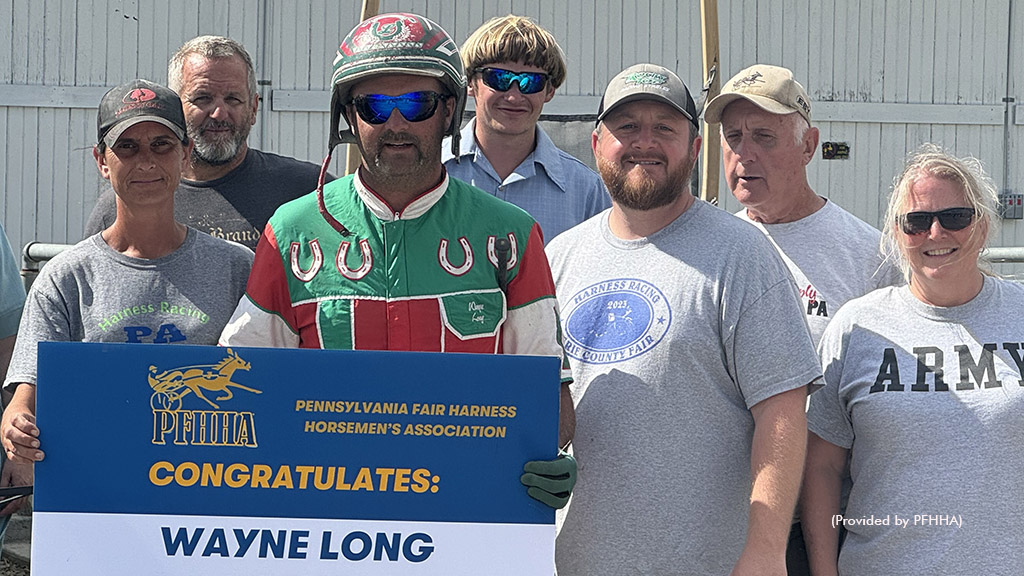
(771,88)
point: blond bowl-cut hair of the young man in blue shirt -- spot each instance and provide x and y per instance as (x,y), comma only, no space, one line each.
(517,39)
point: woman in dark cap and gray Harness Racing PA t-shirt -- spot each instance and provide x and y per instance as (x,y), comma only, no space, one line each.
(145,279)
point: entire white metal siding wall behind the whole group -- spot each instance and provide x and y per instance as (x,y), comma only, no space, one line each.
(870,66)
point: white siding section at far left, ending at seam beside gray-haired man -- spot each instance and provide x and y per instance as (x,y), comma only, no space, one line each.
(57,61)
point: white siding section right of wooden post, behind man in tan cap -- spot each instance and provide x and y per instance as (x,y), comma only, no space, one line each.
(882,71)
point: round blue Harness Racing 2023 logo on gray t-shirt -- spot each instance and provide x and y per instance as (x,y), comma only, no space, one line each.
(616,320)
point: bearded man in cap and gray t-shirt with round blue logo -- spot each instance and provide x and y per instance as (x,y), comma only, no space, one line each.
(691,360)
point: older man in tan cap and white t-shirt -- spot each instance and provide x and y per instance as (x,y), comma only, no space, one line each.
(767,143)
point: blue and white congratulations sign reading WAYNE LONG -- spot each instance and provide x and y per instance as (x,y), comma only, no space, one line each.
(205,461)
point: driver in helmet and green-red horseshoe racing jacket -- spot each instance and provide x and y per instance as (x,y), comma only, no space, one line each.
(400,256)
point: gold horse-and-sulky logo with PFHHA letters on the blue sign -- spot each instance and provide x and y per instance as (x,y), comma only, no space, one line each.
(201,428)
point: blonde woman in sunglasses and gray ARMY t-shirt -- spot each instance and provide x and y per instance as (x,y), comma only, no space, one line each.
(924,392)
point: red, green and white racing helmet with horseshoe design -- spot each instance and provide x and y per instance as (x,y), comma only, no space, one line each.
(397,44)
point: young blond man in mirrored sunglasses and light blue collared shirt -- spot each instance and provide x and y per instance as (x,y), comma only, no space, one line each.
(515,68)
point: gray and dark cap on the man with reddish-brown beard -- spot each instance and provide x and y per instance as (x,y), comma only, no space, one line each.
(649,83)
